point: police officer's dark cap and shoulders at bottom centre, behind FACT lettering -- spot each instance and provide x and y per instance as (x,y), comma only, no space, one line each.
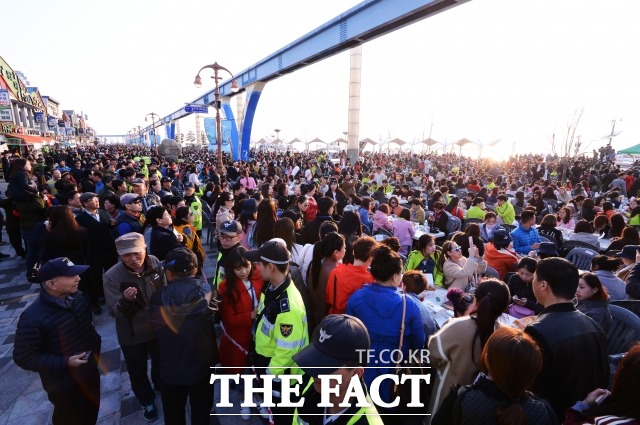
(339,347)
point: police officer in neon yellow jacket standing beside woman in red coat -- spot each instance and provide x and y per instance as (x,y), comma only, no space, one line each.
(281,322)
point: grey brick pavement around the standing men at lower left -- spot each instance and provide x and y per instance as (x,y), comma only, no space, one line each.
(22,399)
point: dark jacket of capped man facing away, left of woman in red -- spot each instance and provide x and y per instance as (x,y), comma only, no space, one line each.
(185,332)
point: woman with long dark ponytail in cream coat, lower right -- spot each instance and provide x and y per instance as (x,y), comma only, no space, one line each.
(455,349)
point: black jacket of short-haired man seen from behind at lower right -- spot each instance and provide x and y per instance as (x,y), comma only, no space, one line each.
(574,353)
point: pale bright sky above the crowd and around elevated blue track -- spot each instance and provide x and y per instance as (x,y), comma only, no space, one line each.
(488,69)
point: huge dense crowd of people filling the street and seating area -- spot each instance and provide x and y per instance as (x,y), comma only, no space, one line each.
(317,258)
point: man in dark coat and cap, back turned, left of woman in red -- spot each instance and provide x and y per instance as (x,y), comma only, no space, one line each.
(186,339)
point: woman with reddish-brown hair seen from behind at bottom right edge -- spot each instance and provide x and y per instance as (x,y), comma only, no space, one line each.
(510,362)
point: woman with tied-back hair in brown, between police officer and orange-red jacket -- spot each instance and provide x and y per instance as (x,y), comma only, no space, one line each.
(327,253)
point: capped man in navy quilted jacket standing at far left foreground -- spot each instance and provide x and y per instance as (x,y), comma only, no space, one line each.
(56,338)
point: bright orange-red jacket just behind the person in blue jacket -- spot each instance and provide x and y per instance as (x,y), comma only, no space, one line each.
(347,279)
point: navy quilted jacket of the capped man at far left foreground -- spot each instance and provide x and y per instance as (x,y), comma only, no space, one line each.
(48,334)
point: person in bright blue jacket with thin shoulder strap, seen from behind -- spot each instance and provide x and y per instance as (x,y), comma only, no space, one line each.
(380,307)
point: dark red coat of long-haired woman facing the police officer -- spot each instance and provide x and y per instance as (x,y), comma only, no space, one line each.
(237,322)
